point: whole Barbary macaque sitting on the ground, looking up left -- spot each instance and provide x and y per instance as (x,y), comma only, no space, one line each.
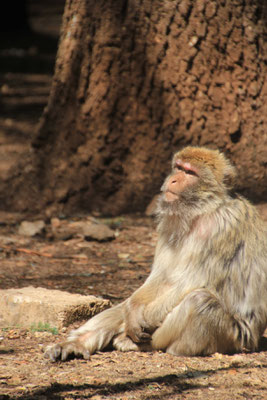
(207,290)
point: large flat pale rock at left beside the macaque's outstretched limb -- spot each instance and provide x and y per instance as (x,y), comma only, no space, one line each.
(29,306)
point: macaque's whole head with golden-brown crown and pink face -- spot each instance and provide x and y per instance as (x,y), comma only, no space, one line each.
(197,173)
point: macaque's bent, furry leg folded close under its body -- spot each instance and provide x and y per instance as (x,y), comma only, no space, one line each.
(199,325)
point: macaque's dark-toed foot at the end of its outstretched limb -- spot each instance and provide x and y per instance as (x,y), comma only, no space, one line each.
(62,351)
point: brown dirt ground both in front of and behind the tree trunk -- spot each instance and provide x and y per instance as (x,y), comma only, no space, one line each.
(58,259)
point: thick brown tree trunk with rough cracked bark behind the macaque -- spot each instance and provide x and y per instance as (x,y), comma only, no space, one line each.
(134,81)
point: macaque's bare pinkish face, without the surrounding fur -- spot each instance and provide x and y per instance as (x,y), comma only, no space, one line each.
(184,177)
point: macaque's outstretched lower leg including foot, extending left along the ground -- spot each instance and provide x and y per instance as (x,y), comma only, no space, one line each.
(94,335)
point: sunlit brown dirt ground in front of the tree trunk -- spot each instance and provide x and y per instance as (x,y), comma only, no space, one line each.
(58,260)
